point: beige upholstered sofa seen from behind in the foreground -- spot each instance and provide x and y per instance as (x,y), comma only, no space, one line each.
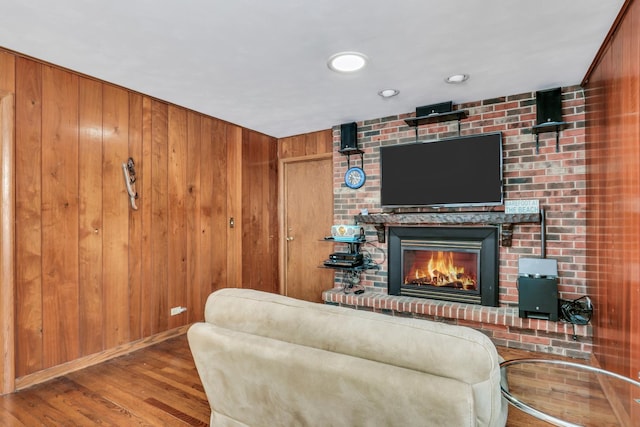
(270,360)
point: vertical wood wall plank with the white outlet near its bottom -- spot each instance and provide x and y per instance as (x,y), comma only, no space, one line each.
(177,185)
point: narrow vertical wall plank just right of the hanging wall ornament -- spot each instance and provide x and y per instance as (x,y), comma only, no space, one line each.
(136,224)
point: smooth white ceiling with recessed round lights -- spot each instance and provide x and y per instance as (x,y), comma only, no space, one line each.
(262,64)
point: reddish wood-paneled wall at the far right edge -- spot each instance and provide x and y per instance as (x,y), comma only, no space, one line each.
(613,106)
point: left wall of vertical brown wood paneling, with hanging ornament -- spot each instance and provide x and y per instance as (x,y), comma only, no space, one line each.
(91,273)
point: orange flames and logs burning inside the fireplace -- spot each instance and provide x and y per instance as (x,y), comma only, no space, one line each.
(441,270)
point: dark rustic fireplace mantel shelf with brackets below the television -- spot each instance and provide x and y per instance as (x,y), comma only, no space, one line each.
(505,221)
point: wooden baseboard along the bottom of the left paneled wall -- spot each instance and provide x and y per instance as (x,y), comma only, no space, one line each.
(94,359)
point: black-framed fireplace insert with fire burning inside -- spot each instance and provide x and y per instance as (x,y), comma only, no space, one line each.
(457,264)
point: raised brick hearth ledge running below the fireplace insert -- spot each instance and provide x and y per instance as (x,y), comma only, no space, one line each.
(501,324)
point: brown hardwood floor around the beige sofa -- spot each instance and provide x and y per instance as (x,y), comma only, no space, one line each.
(159,386)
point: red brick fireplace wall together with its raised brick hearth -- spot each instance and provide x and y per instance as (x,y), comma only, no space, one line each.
(556,179)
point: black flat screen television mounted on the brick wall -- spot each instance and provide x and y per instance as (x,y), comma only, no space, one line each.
(462,171)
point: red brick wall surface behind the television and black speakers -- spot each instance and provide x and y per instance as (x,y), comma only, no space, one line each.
(556,179)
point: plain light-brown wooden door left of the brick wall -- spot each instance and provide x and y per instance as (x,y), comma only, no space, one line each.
(307,218)
